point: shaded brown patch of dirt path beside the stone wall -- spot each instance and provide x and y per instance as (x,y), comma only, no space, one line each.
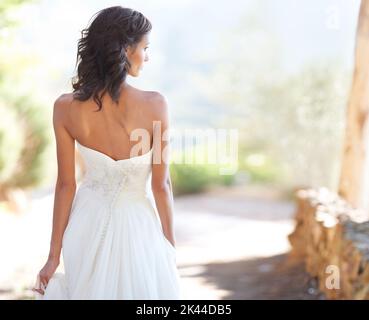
(272,278)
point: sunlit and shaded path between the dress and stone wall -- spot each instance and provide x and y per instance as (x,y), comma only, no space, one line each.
(237,246)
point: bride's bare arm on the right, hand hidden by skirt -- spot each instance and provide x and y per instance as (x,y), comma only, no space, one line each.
(161,183)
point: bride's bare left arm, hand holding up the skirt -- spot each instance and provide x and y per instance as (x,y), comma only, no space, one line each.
(64,189)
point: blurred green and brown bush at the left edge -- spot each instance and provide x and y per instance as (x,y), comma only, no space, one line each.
(24,137)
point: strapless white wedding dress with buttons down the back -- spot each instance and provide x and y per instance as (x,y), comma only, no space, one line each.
(113,245)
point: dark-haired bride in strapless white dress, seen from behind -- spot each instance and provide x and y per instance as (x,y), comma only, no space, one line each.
(115,230)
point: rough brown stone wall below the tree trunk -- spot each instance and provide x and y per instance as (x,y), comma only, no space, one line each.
(332,238)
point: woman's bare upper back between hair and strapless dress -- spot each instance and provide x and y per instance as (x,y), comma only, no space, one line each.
(109,131)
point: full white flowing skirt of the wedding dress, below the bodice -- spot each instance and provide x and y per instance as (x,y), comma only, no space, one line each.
(114,251)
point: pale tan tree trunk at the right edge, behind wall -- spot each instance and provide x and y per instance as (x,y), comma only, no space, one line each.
(353,182)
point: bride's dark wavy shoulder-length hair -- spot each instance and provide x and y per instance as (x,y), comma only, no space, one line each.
(101,58)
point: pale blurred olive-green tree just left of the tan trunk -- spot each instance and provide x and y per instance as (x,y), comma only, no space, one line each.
(302,119)
